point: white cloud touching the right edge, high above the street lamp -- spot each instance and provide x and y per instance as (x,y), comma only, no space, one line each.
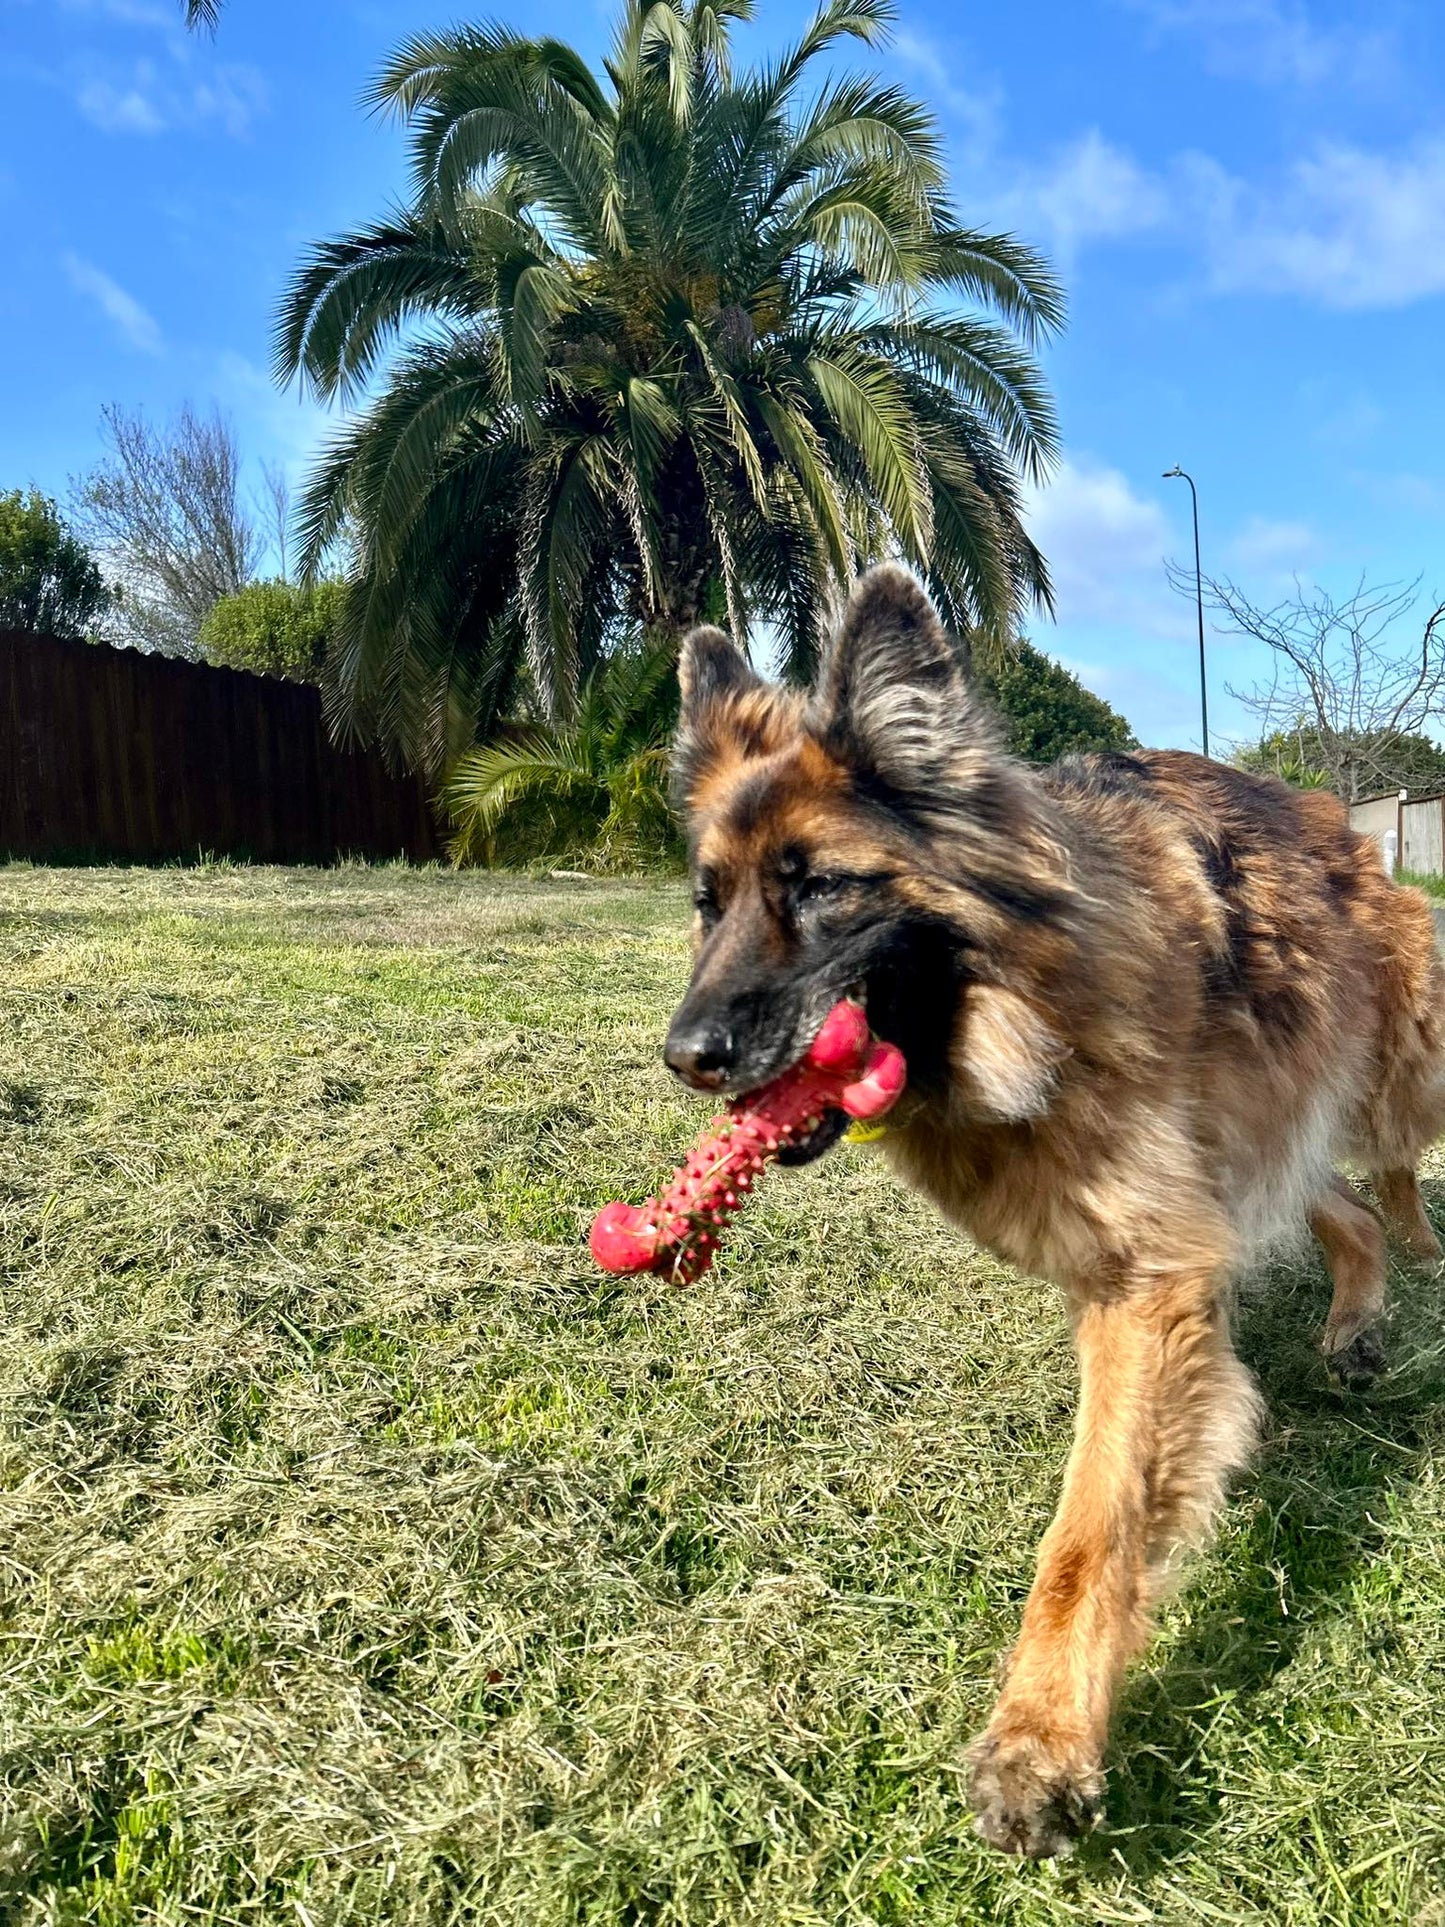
(1350,228)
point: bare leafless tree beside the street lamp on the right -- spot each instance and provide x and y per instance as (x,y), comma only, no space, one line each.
(1344,675)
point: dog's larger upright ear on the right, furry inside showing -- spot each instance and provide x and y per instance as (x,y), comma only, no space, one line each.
(893,695)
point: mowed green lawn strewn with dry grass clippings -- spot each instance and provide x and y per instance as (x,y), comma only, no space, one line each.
(371,1558)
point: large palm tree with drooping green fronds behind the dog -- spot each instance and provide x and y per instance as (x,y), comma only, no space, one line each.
(658,346)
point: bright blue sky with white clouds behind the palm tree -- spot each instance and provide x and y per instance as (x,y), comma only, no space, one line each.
(1246,199)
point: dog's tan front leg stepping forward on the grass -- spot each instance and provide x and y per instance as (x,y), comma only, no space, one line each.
(1165,1413)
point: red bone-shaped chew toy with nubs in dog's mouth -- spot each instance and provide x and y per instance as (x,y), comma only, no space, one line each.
(677,1234)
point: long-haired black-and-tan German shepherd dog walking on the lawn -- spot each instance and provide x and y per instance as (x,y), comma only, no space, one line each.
(1147,1003)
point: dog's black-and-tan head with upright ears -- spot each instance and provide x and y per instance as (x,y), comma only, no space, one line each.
(856,841)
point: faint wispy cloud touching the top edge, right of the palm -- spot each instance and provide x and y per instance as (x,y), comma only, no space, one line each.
(1276,41)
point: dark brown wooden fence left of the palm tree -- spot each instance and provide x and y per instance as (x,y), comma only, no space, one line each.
(118,756)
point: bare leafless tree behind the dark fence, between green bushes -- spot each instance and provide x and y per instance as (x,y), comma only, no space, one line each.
(165,510)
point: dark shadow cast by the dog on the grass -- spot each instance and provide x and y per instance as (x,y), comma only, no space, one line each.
(1311,1512)
